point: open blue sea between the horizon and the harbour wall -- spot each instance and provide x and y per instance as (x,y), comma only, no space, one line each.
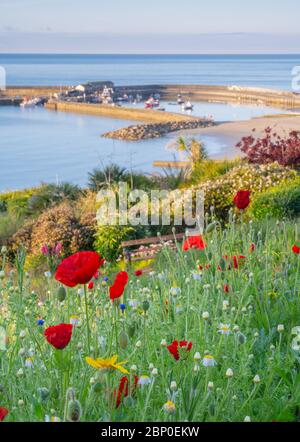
(272,71)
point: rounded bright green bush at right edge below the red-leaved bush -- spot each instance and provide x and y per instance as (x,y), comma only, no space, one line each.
(279,201)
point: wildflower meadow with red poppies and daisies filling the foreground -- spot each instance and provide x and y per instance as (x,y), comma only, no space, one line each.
(208,331)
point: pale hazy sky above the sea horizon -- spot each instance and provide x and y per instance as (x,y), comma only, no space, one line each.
(137,26)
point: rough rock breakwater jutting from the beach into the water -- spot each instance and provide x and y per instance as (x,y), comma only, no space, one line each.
(155,130)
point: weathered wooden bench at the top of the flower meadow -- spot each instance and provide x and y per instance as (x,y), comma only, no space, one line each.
(141,253)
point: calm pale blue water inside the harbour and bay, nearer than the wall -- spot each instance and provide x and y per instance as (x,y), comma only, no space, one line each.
(37,145)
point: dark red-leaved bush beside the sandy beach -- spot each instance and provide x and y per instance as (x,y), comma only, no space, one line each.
(272,147)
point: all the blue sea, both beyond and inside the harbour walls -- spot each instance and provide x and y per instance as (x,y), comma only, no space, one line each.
(37,145)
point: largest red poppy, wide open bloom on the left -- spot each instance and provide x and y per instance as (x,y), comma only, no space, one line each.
(78,268)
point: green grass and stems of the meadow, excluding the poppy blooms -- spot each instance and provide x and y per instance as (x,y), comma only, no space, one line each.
(264,293)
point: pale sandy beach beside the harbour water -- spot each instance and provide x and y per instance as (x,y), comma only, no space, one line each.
(232,132)
